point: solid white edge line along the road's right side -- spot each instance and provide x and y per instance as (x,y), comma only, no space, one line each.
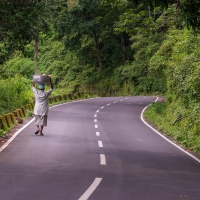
(195,158)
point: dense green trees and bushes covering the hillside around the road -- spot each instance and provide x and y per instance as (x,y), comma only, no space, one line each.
(114,48)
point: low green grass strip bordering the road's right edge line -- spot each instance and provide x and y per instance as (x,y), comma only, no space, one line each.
(157,114)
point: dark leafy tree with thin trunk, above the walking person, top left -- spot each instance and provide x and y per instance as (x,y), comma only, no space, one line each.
(20,23)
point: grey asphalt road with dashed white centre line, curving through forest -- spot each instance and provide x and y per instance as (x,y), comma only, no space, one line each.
(97,149)
